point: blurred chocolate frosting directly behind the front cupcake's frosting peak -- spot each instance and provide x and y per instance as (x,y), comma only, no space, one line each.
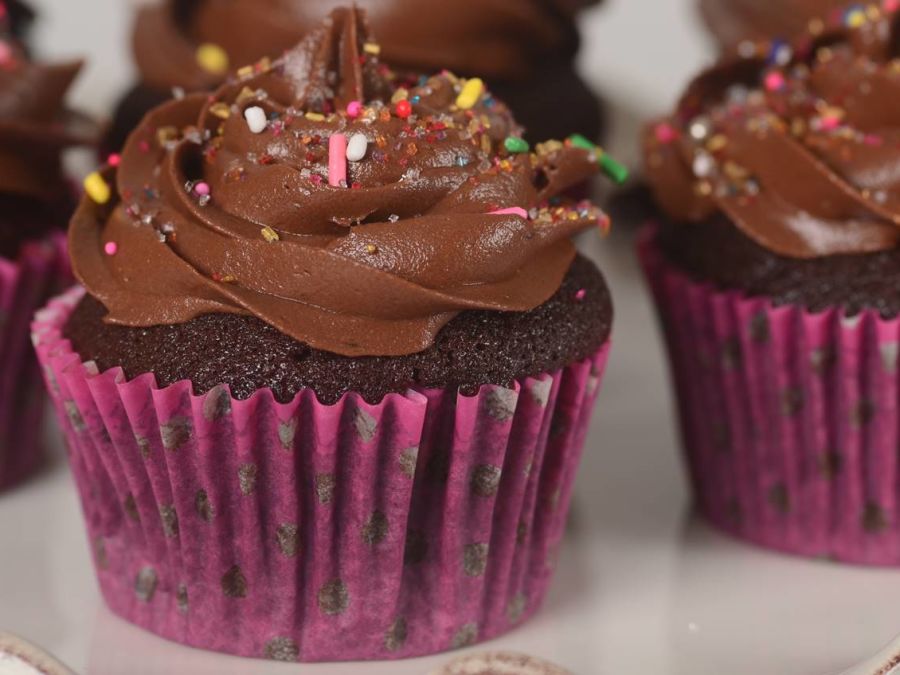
(504,39)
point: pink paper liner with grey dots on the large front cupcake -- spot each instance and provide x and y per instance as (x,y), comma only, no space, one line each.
(315,532)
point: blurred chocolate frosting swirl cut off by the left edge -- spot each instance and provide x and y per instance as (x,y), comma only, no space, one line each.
(35,125)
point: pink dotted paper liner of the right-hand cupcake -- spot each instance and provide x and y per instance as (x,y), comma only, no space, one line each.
(789,418)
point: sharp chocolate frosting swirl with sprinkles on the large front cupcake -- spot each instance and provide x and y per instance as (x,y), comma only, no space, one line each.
(212,217)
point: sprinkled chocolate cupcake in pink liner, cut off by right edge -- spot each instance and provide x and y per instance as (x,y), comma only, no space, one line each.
(776,268)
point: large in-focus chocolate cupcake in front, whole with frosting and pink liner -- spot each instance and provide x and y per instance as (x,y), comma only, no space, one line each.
(327,383)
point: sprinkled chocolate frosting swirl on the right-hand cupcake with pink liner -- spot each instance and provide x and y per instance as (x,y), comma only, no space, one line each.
(797,144)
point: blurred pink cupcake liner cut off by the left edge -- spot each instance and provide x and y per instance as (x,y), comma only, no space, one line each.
(25,285)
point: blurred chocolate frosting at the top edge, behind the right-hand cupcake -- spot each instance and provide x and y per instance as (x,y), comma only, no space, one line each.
(735,21)
